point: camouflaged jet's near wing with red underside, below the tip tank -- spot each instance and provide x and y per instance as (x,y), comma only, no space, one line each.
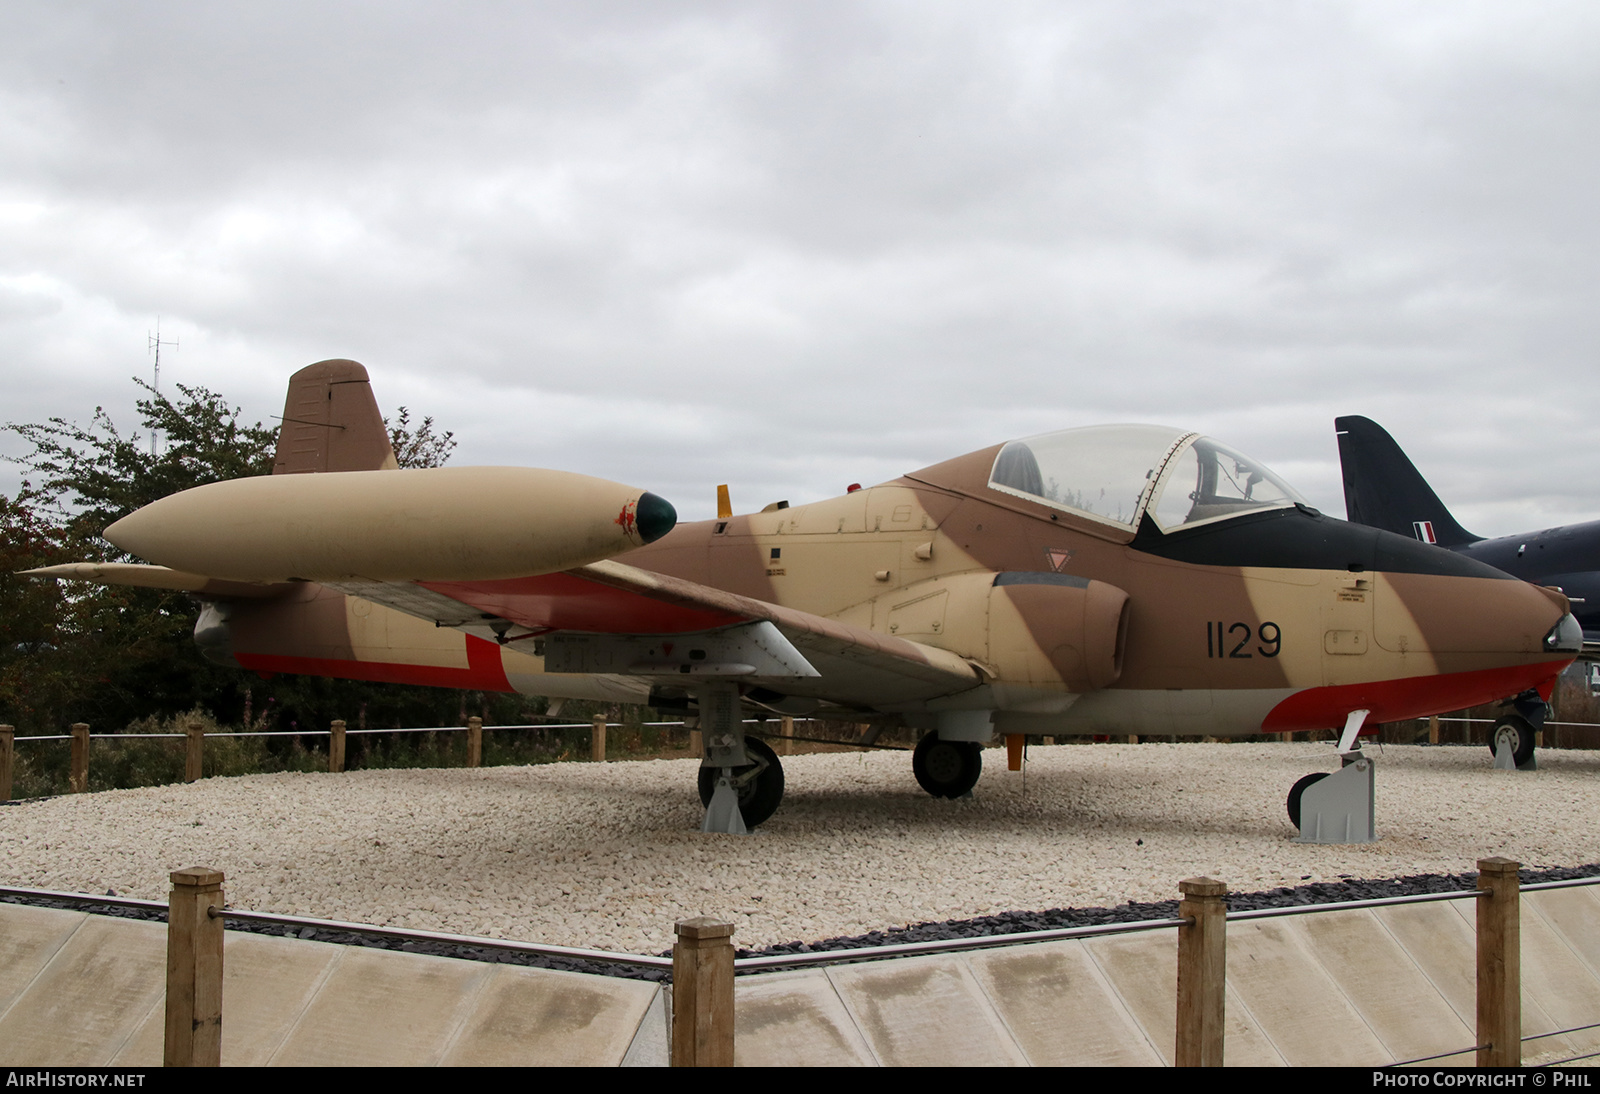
(610,618)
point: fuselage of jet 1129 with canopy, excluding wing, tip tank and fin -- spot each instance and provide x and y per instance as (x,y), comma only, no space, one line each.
(1140,607)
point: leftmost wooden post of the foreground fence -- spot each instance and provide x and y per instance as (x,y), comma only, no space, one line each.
(194,970)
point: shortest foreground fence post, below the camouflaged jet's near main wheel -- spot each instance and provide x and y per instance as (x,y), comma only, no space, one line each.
(703,994)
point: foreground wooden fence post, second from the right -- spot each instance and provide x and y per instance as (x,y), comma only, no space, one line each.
(1202,973)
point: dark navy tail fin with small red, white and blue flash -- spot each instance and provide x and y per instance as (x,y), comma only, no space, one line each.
(1385,490)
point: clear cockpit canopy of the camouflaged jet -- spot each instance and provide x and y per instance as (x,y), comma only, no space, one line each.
(1114,474)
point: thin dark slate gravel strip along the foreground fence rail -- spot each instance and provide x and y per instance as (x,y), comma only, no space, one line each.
(983,927)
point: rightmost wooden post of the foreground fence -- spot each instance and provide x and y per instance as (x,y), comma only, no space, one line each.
(1500,964)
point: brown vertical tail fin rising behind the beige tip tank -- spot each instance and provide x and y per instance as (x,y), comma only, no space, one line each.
(332,423)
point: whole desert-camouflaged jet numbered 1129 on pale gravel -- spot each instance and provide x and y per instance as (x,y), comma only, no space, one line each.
(1103,580)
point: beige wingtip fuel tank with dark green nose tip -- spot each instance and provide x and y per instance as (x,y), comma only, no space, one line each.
(442,524)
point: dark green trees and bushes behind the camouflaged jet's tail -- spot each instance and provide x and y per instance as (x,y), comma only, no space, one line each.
(108,655)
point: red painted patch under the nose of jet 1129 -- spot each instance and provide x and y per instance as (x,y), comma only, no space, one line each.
(1414,698)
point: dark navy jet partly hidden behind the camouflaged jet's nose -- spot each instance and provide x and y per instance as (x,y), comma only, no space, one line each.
(1383,489)
